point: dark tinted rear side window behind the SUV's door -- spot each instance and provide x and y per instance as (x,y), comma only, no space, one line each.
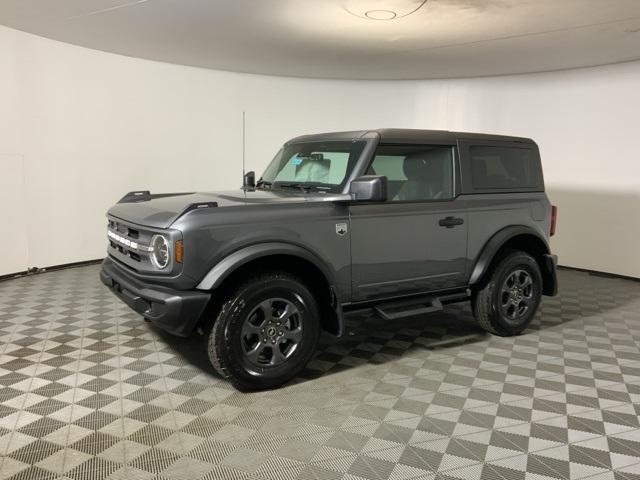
(504,168)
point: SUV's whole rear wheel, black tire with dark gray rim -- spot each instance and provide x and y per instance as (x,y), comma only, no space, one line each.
(508,300)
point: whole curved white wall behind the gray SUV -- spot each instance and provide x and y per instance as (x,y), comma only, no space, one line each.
(78,128)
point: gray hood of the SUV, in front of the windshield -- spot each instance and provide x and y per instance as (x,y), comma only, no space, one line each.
(161,210)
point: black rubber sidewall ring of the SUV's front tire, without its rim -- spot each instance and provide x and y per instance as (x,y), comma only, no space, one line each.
(232,319)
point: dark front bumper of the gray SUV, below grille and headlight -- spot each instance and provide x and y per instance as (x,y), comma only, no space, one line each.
(175,311)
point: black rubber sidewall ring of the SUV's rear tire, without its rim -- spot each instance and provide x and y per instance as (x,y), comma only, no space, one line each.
(520,261)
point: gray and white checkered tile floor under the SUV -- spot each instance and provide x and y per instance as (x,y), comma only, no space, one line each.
(88,391)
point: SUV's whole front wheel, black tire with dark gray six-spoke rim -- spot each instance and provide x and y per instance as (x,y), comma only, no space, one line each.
(266,331)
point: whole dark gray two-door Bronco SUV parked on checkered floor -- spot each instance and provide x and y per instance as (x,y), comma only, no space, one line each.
(398,221)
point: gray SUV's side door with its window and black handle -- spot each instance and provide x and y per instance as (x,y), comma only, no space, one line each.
(415,241)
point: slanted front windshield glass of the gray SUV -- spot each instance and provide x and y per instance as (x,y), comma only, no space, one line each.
(313,165)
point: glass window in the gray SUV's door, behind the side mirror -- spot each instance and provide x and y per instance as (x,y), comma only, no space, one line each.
(415,172)
